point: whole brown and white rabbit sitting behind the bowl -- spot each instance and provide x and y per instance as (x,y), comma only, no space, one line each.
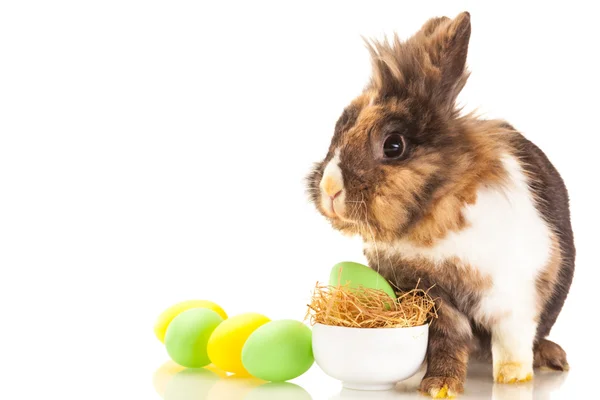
(466,205)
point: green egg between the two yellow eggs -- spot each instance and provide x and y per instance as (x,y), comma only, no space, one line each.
(188,334)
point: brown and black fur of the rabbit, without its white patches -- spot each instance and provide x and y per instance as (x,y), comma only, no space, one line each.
(419,197)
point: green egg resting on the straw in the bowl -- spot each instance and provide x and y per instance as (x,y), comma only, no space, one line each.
(355,275)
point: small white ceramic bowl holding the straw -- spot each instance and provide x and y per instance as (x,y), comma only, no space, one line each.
(369,359)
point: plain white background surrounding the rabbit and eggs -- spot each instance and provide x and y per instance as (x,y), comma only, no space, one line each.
(152,152)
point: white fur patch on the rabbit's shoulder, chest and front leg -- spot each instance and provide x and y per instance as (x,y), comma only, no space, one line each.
(508,241)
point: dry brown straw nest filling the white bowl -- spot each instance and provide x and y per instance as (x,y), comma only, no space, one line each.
(369,308)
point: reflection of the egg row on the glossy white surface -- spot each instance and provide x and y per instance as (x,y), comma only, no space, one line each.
(175,383)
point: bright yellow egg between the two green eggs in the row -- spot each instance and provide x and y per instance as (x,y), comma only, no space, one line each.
(226,343)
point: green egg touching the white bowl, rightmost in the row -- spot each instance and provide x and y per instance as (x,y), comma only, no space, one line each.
(279,351)
